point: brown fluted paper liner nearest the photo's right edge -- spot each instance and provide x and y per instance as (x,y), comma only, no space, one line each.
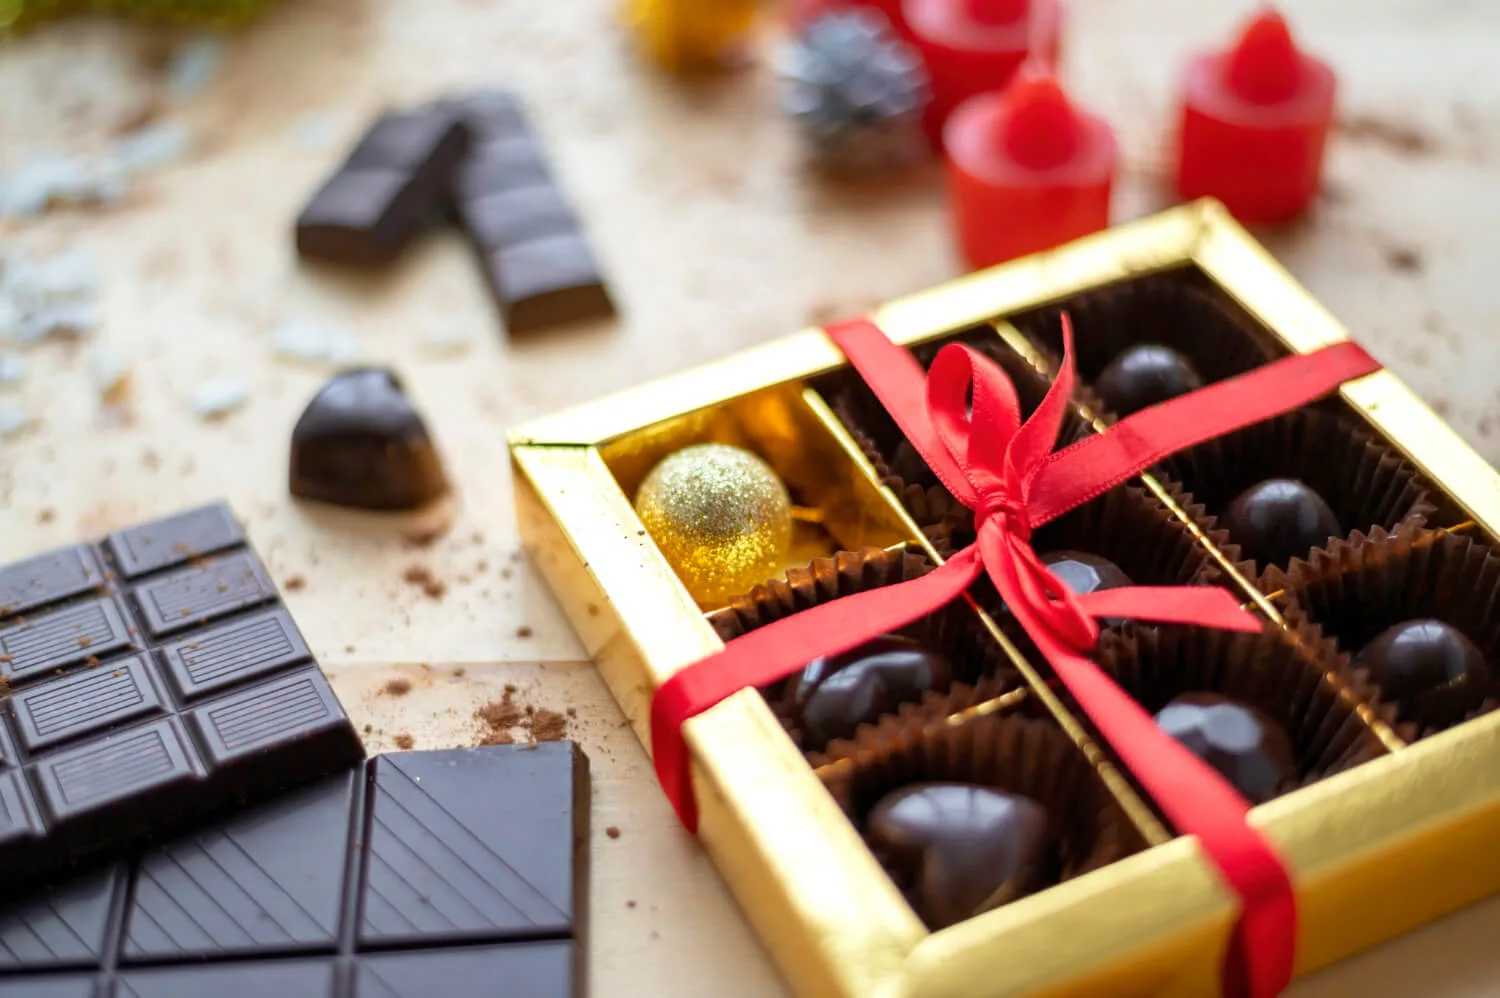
(1358,588)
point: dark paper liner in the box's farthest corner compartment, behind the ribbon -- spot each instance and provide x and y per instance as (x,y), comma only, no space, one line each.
(1168,310)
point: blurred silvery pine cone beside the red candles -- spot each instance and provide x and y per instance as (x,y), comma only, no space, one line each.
(856,92)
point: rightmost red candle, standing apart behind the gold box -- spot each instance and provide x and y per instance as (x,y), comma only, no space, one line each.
(1255,124)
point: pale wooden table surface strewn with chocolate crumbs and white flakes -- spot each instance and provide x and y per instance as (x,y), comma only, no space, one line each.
(715,239)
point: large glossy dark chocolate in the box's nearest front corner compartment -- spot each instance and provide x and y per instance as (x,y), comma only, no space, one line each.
(961,849)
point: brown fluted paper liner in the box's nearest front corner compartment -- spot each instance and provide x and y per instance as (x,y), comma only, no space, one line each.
(1022,756)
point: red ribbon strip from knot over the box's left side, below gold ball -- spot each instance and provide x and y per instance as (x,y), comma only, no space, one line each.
(778,651)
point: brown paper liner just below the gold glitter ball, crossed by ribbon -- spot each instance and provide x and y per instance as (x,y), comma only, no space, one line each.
(953,631)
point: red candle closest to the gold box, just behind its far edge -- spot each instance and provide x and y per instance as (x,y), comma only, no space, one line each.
(1028,170)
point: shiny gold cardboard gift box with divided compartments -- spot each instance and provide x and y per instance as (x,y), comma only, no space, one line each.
(1375,850)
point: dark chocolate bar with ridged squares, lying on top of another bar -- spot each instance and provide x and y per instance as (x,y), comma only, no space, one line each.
(152,681)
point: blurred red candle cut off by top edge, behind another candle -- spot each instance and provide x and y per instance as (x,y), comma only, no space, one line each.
(977,46)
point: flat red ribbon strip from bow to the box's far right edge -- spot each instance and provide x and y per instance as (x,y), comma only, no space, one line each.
(1091,467)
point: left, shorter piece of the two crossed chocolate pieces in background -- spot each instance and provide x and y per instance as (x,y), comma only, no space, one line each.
(386,191)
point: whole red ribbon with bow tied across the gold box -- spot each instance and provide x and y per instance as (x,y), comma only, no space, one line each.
(1009,475)
